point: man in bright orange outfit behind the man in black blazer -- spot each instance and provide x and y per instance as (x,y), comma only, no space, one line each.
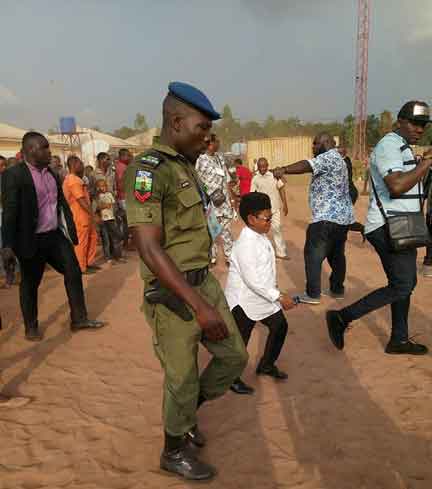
(78,198)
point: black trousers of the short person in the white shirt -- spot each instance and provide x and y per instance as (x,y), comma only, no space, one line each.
(278,328)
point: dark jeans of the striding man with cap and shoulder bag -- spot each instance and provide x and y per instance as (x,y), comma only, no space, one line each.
(401,271)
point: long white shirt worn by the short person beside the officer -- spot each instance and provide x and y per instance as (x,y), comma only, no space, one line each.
(251,282)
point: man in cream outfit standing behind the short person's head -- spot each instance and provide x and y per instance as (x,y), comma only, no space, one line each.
(265,182)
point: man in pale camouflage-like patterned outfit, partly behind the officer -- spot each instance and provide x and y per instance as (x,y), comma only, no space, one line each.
(213,173)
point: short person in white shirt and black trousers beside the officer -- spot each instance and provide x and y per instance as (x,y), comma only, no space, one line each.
(251,290)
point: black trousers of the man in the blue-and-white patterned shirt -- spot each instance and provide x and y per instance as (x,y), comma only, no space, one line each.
(325,239)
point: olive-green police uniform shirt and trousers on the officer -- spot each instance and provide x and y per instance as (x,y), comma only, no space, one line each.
(162,189)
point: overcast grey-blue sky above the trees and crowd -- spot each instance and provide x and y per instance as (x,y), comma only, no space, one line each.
(105,60)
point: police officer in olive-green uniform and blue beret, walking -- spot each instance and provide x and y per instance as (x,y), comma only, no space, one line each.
(183,303)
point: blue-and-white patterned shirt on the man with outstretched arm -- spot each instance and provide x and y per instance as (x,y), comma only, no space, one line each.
(329,196)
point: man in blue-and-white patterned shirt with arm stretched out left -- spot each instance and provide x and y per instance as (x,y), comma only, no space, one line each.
(332,213)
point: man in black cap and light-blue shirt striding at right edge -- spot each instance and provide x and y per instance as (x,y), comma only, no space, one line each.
(396,175)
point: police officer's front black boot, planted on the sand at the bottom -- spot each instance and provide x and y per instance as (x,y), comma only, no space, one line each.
(176,458)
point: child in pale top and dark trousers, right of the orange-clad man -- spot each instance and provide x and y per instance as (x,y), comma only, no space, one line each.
(104,206)
